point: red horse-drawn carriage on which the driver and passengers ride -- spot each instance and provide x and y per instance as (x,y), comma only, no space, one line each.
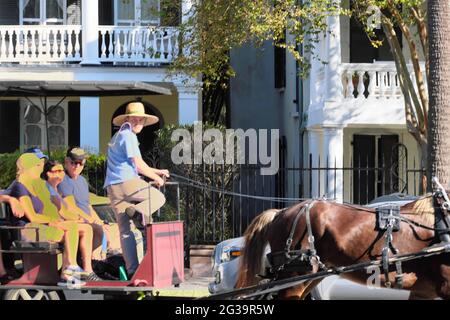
(161,266)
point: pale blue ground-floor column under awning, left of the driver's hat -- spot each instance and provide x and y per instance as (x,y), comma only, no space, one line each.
(90,123)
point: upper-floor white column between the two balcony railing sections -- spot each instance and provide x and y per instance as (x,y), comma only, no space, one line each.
(89,21)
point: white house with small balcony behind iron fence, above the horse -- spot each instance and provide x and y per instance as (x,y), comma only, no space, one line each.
(349,113)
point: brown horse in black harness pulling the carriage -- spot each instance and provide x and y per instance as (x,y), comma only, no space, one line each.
(315,239)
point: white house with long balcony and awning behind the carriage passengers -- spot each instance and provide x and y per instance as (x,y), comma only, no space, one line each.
(87,59)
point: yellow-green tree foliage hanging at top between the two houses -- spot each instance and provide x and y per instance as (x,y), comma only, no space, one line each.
(215,27)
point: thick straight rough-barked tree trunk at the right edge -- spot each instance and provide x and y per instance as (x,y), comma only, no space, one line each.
(439,92)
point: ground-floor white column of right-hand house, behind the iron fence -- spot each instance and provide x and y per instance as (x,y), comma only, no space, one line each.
(334,153)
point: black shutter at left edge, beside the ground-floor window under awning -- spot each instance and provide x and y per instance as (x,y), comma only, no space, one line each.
(9,126)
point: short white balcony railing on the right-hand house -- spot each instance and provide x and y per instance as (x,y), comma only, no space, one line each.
(370,80)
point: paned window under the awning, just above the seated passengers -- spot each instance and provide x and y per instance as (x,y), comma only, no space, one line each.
(32,127)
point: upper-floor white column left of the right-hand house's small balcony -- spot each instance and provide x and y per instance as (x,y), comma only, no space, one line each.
(333,56)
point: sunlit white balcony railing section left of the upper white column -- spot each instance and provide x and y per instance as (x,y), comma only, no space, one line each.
(40,44)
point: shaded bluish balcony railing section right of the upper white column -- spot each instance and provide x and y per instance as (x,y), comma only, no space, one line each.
(138,44)
